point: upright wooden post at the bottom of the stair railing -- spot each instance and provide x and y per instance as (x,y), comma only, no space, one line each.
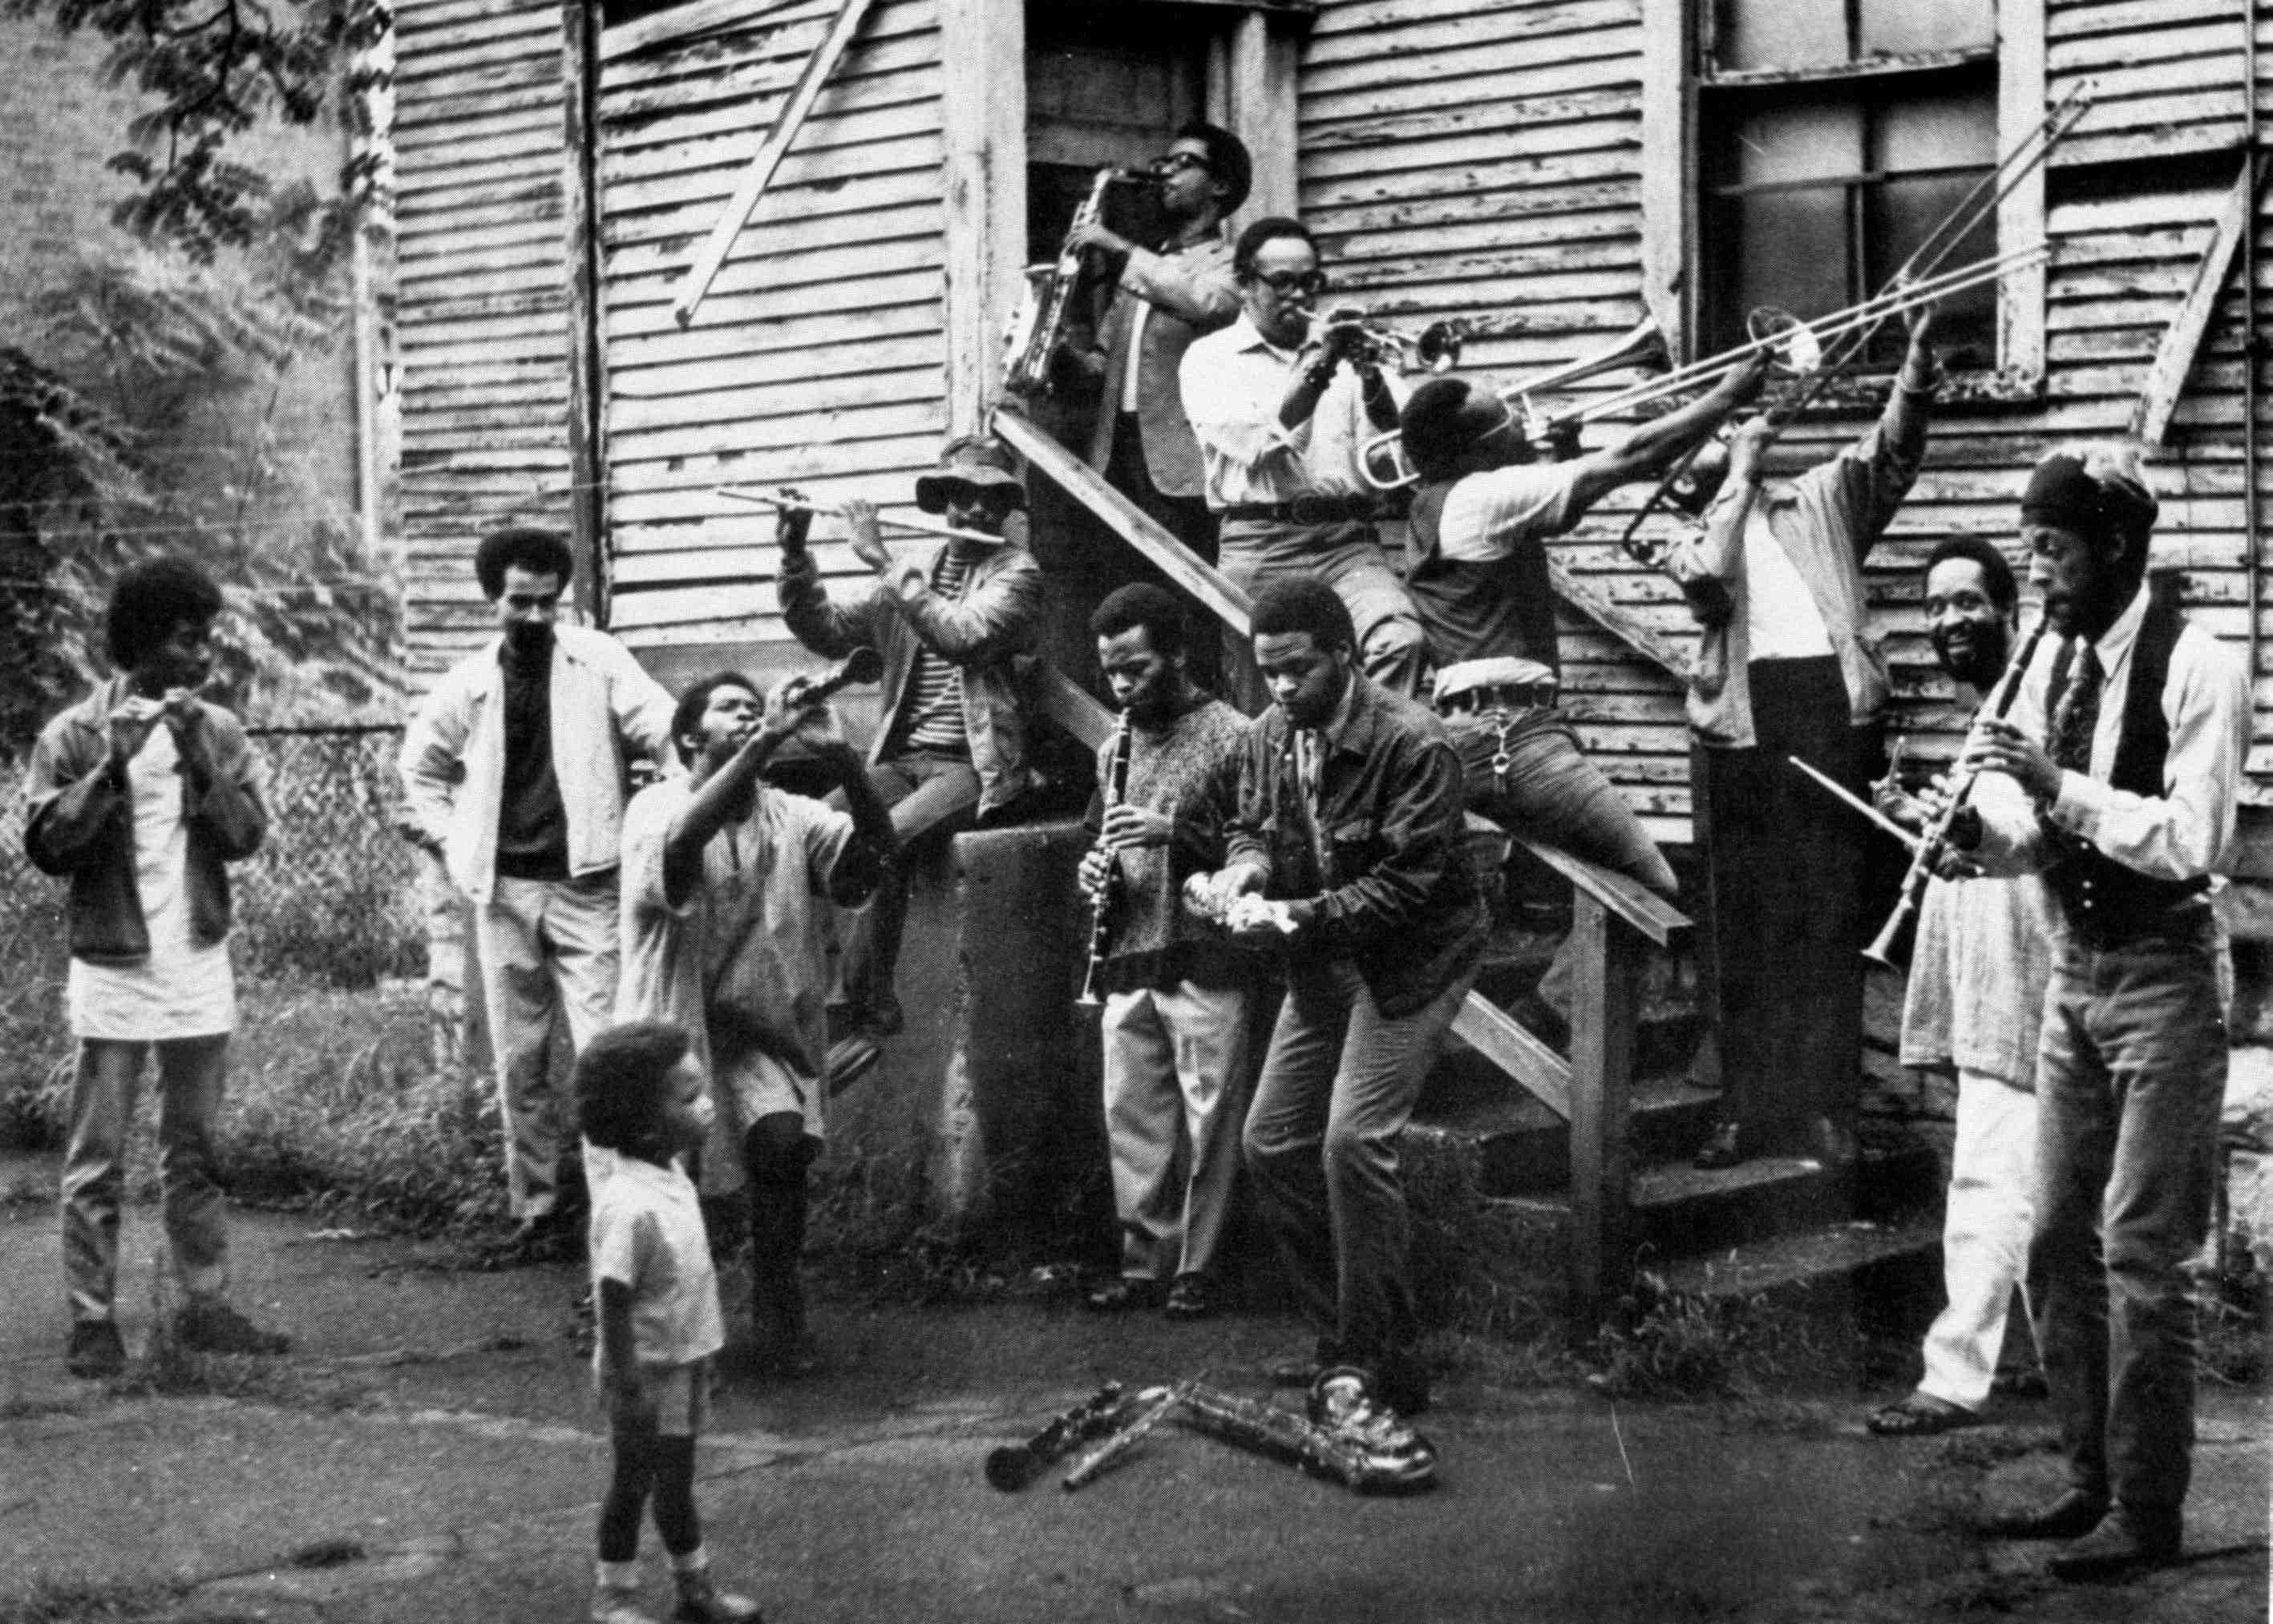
(1604,1007)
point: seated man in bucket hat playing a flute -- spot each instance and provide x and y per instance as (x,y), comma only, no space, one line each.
(951,623)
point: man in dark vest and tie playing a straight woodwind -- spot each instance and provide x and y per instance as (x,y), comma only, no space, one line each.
(2115,778)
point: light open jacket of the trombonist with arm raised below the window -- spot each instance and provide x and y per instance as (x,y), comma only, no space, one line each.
(1826,521)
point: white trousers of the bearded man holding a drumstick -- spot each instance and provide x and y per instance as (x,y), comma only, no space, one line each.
(1983,1237)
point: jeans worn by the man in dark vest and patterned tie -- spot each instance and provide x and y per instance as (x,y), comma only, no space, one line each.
(2131,1078)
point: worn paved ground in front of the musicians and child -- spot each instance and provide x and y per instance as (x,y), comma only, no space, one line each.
(431,1453)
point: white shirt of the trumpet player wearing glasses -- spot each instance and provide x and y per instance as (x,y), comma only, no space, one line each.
(1235,383)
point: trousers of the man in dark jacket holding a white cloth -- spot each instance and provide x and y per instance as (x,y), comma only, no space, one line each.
(1322,1146)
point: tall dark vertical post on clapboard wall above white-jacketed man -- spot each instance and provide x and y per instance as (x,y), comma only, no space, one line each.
(581,183)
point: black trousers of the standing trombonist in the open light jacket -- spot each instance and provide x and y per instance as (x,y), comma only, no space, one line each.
(1785,905)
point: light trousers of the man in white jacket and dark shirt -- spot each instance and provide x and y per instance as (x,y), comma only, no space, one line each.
(547,946)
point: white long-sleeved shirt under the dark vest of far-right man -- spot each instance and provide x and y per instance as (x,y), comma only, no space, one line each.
(2176,835)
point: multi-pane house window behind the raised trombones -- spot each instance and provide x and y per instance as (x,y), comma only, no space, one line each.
(1833,137)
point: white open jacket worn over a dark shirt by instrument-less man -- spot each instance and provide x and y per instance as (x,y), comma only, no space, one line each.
(453,755)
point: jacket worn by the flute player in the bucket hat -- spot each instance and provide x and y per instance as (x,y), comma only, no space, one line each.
(988,633)
